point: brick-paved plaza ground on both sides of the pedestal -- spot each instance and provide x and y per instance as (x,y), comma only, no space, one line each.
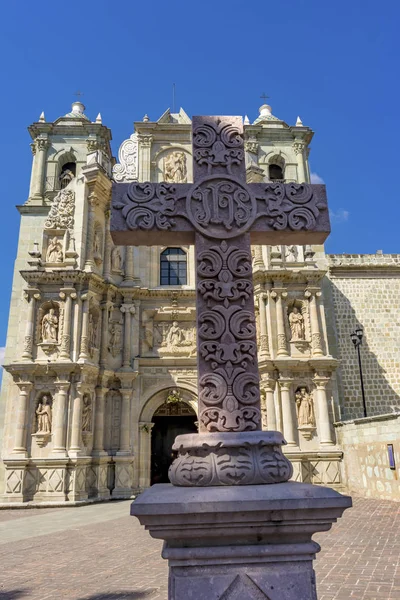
(98,552)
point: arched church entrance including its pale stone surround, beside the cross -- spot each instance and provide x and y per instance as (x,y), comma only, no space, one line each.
(164,418)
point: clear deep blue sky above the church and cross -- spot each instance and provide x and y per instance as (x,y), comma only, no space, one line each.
(336,64)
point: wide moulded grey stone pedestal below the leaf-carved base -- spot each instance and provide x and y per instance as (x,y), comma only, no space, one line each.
(240,543)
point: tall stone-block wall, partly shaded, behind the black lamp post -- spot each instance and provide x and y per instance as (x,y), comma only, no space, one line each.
(365,290)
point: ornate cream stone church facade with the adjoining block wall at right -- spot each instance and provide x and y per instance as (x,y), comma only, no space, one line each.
(100,365)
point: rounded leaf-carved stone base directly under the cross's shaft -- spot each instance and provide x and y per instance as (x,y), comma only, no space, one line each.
(229,459)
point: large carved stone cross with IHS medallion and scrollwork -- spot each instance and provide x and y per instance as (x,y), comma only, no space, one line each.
(221,215)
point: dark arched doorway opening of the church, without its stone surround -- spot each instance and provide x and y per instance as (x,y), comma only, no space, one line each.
(169,421)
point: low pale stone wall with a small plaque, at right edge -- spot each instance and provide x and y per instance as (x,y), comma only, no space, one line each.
(366,463)
